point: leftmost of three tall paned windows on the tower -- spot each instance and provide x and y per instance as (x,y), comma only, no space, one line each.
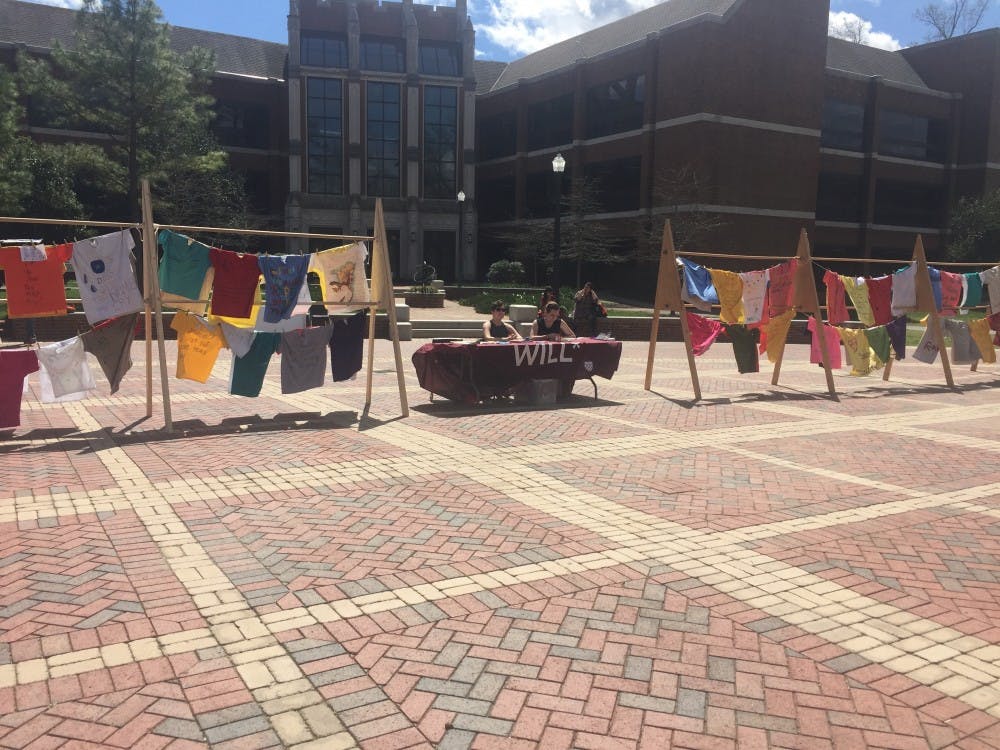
(325,130)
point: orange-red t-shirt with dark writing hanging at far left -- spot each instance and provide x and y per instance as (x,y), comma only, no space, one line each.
(35,288)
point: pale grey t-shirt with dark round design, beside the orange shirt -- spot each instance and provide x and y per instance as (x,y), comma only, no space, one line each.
(105,275)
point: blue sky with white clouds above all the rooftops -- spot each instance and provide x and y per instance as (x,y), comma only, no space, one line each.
(508,29)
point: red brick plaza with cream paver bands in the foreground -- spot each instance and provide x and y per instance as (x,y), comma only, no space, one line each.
(767,568)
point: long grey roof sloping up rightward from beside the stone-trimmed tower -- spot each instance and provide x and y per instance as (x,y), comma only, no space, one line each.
(596,42)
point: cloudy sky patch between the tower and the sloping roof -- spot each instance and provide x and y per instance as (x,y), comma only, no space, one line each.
(525,26)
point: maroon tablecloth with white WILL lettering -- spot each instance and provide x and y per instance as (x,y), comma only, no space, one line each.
(472,372)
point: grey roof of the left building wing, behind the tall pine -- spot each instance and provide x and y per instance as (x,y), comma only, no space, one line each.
(40,26)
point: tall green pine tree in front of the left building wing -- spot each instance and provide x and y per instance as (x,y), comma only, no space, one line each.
(147,105)
